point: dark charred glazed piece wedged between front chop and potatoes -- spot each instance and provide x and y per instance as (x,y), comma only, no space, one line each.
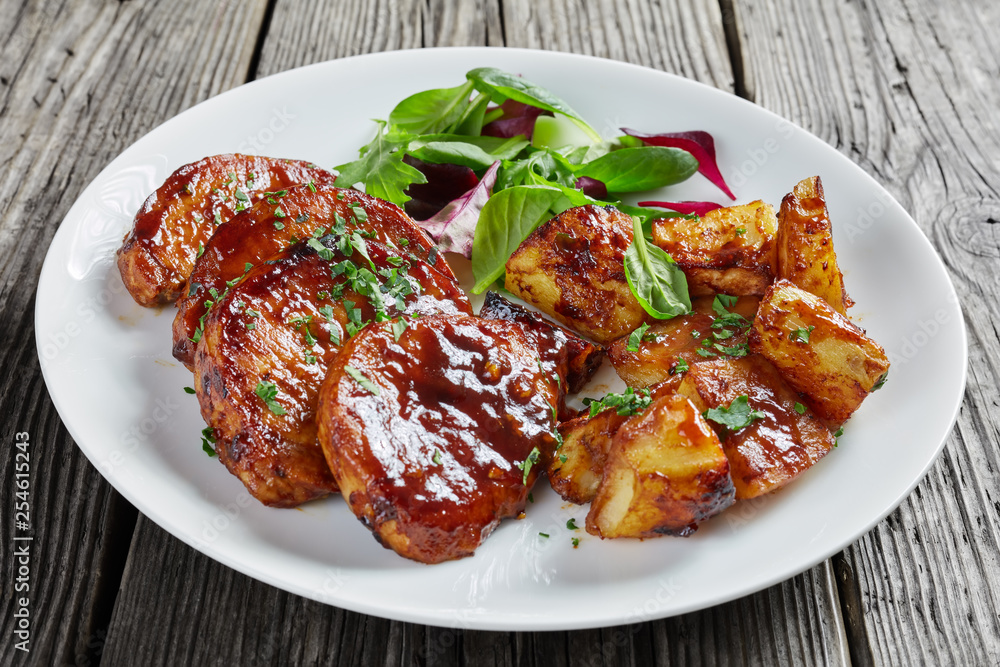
(562,351)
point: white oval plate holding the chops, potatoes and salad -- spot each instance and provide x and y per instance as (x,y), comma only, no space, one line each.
(108,366)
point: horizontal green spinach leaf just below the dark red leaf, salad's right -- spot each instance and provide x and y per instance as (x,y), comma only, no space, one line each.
(637,169)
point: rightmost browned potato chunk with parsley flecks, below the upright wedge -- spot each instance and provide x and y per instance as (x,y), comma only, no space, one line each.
(819,352)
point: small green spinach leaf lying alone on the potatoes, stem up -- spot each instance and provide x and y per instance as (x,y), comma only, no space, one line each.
(655,279)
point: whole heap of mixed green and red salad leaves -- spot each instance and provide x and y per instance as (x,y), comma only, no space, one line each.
(481,165)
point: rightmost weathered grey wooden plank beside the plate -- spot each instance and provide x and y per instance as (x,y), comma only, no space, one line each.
(908,90)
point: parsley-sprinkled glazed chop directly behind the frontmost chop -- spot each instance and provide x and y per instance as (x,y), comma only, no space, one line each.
(277,326)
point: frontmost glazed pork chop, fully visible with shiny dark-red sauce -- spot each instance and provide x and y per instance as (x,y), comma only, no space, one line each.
(428,446)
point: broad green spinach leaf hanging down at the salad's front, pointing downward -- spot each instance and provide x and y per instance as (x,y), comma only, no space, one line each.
(506,220)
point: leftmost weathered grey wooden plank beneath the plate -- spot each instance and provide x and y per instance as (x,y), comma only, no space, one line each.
(78,83)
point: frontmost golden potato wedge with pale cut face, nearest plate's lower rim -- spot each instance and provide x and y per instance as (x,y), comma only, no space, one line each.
(666,473)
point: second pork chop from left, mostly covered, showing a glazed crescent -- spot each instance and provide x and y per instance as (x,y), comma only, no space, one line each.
(273,224)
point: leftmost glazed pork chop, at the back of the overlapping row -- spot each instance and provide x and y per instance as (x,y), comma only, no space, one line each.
(159,251)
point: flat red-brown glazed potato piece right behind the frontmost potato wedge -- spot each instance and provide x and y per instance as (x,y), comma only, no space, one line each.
(779,443)
